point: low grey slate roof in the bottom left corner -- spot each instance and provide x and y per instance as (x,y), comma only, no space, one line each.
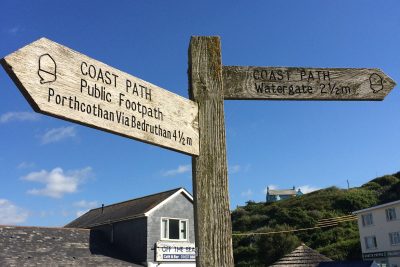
(42,246)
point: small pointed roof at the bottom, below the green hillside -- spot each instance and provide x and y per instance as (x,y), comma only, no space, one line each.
(302,256)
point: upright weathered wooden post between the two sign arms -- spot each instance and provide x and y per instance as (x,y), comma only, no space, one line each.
(213,227)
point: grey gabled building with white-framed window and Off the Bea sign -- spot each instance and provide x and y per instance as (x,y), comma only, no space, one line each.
(155,230)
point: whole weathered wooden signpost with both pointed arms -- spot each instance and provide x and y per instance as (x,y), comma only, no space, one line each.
(66,84)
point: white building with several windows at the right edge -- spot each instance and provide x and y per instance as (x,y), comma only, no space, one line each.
(379,229)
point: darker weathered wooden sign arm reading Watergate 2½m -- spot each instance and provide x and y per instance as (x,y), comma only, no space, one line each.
(281,83)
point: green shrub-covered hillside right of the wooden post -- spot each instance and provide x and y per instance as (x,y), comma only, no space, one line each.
(339,243)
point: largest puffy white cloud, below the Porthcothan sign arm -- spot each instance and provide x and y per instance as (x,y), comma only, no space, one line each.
(57,183)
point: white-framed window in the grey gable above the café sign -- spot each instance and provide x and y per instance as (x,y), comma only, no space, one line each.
(174,229)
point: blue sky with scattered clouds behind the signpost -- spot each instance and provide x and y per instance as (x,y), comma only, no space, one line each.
(52,170)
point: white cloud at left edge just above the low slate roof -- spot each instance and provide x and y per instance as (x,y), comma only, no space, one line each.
(11,214)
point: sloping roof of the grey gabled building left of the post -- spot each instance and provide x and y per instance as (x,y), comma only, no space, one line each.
(126,210)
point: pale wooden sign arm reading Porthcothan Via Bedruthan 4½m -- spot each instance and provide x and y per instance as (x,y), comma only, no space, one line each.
(63,83)
